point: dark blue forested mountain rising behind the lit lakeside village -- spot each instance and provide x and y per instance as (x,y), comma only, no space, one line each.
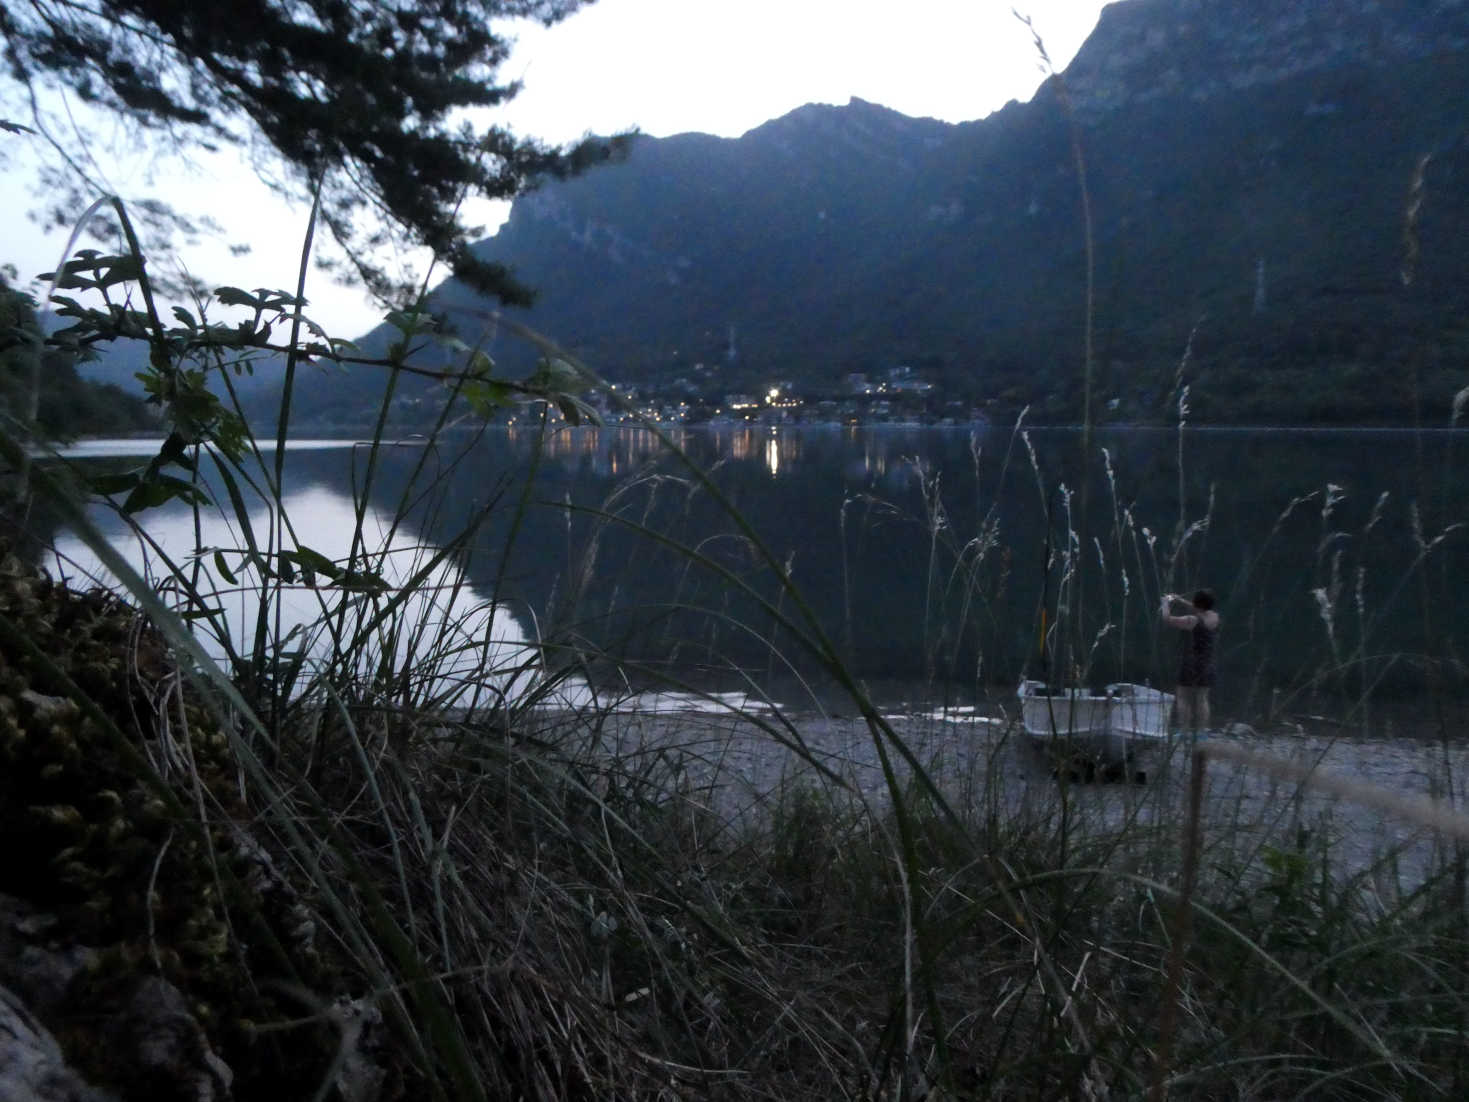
(1279,220)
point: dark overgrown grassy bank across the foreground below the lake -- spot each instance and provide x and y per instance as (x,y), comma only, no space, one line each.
(600,904)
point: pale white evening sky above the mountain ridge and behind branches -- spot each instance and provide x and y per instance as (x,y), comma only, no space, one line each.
(665,67)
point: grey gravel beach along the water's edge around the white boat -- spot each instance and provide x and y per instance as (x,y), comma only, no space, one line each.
(740,765)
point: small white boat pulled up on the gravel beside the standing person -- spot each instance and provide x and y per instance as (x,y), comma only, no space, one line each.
(1116,730)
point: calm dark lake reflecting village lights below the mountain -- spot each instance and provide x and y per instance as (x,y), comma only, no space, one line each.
(935,559)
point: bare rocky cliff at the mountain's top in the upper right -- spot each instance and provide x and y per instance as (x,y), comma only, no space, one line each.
(1147,51)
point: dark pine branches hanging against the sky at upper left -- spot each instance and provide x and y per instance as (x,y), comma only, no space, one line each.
(365,99)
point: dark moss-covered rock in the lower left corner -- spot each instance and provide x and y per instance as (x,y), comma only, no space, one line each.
(121,816)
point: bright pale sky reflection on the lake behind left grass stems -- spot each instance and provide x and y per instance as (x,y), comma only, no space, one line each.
(459,647)
